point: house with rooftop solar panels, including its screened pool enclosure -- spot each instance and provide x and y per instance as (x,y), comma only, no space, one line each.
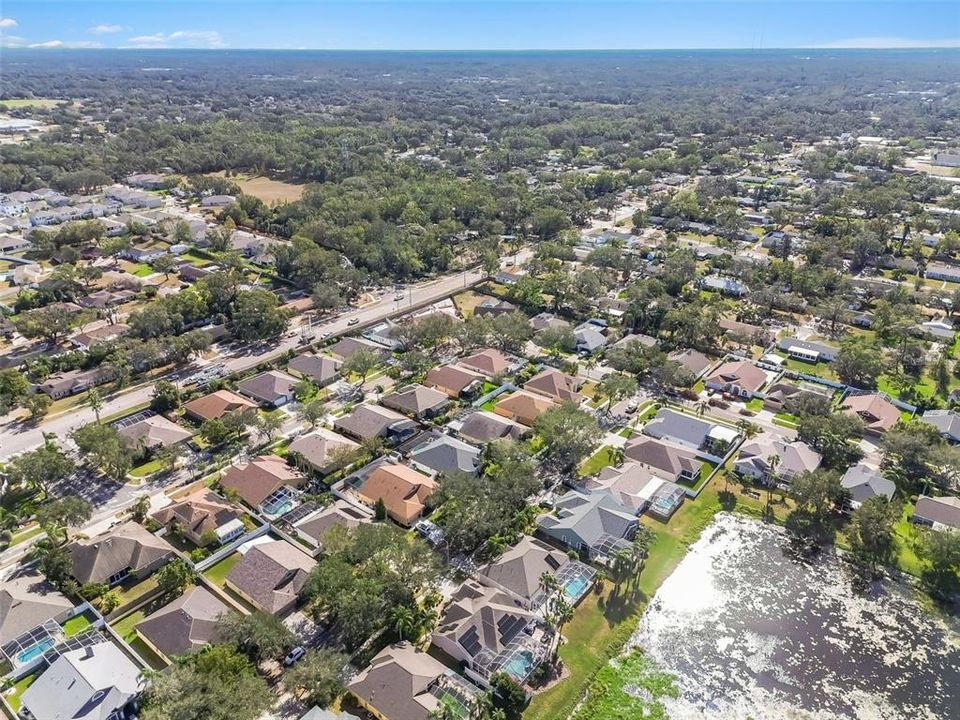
(483,627)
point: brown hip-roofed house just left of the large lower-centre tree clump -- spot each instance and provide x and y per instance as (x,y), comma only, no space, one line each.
(270,576)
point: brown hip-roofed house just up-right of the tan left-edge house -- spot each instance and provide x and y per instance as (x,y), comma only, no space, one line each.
(128,549)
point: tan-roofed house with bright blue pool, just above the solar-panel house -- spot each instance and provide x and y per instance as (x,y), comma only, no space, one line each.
(519,570)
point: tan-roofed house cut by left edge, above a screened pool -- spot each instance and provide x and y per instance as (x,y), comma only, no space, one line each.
(26,601)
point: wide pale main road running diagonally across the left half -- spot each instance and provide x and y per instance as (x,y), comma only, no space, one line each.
(16,437)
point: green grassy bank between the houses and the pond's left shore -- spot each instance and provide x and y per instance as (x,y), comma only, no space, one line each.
(601,625)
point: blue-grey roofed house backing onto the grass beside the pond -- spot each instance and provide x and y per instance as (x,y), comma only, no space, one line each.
(595,524)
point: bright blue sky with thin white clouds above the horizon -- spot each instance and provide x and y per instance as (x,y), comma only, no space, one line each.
(479,24)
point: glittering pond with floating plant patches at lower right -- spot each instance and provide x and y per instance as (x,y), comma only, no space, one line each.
(751,632)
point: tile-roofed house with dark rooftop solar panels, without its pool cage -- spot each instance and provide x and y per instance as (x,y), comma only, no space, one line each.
(480,624)
